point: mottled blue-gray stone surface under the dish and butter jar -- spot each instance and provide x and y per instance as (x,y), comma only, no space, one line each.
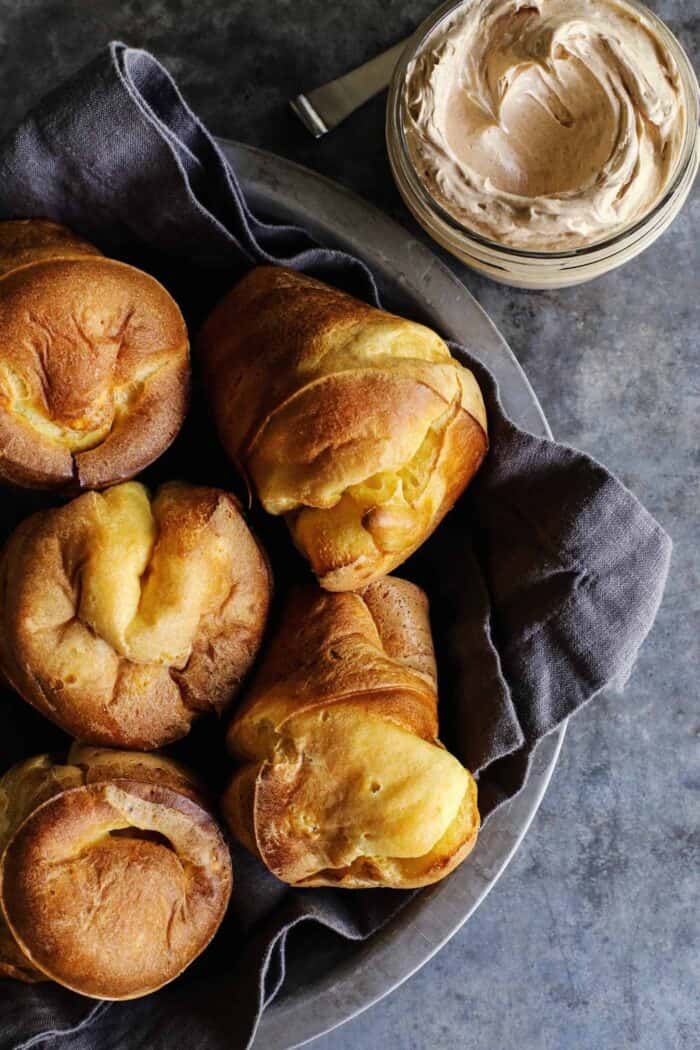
(590,939)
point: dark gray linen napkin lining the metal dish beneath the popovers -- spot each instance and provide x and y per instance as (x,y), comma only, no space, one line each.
(544,581)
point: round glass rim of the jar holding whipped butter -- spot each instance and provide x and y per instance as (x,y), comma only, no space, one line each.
(395,129)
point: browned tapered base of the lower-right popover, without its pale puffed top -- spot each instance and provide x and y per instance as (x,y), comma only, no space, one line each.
(332,648)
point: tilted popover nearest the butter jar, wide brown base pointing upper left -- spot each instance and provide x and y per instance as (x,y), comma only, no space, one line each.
(357,426)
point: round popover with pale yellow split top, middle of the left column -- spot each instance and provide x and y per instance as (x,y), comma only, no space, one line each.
(123,617)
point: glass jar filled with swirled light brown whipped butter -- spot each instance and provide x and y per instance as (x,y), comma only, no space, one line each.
(544,142)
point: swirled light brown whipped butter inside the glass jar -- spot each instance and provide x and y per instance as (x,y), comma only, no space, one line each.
(545,125)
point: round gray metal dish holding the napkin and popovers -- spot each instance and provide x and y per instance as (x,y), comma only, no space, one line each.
(330,979)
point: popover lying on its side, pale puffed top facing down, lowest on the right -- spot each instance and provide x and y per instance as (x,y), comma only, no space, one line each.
(345,782)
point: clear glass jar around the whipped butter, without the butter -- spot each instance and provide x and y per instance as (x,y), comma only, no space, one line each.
(539,269)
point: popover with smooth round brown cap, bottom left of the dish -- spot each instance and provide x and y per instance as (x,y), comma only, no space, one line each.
(114,876)
